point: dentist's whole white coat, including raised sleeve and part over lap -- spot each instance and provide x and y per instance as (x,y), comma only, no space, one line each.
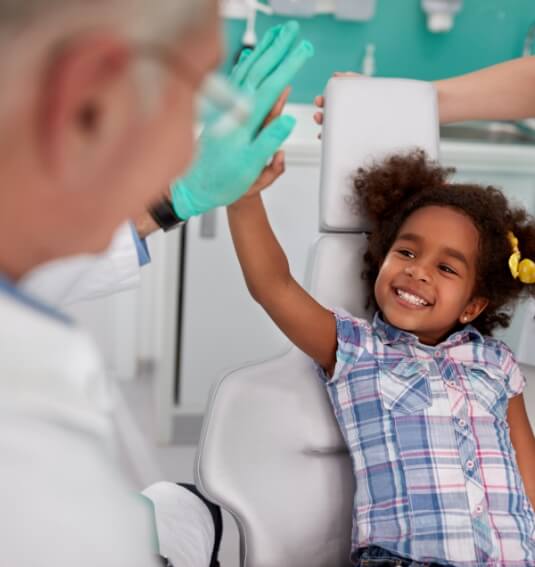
(60,478)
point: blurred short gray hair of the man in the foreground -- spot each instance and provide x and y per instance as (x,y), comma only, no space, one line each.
(32,30)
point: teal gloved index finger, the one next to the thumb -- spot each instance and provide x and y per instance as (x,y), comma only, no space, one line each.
(273,86)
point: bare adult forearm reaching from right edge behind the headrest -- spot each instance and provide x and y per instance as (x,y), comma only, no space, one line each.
(502,92)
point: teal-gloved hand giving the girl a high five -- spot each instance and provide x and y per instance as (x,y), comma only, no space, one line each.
(227,166)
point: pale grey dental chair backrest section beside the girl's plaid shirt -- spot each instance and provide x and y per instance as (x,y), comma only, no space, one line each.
(285,476)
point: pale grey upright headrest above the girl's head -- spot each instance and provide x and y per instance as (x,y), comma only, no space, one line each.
(364,121)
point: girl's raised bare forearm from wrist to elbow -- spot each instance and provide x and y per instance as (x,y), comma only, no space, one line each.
(263,262)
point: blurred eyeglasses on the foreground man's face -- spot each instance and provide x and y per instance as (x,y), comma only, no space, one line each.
(222,108)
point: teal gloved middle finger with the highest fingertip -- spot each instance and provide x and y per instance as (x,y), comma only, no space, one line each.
(272,57)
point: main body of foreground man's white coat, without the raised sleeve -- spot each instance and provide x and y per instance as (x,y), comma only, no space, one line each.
(64,501)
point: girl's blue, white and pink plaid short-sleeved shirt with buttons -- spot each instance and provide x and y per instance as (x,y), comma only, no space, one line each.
(435,469)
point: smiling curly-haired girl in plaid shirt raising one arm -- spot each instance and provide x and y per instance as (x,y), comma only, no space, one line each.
(429,404)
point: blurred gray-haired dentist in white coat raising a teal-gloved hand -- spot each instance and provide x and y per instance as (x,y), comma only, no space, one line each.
(96,115)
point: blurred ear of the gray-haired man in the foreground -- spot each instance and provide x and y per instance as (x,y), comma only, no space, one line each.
(87,108)
